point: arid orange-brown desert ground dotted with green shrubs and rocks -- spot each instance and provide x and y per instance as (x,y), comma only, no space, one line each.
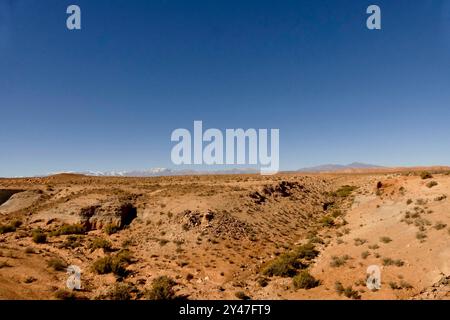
(287,236)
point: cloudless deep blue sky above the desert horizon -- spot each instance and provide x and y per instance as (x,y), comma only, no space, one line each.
(108,97)
